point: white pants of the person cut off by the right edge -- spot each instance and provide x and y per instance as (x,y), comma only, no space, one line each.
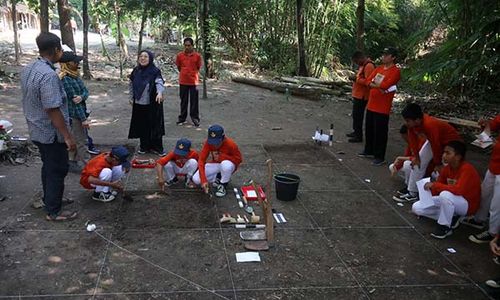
(490,202)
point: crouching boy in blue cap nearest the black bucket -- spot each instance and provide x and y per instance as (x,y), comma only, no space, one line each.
(219,156)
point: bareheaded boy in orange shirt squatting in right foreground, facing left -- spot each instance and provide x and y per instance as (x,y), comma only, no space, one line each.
(456,192)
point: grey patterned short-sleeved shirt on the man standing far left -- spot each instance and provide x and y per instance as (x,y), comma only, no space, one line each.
(42,90)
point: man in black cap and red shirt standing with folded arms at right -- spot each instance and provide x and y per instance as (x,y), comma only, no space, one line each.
(382,83)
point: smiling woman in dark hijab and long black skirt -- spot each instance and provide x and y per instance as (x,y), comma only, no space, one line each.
(146,90)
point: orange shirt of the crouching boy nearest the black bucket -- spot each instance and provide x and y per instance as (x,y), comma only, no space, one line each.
(228,150)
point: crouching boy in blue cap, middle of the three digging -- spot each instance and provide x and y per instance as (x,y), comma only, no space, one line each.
(182,160)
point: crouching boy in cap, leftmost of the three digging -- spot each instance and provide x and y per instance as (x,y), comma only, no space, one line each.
(103,173)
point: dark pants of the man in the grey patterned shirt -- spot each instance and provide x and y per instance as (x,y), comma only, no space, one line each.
(54,169)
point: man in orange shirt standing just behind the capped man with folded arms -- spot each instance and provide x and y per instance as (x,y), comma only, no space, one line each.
(360,92)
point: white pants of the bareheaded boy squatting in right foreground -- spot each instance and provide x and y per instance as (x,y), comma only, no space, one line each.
(446,205)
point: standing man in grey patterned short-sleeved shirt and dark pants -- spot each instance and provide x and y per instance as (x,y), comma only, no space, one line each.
(46,112)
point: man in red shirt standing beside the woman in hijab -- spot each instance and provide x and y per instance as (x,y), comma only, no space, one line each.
(188,63)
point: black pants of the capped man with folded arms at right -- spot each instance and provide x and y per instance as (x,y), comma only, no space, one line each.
(376,130)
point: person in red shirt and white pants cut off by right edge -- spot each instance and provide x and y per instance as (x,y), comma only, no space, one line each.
(490,192)
